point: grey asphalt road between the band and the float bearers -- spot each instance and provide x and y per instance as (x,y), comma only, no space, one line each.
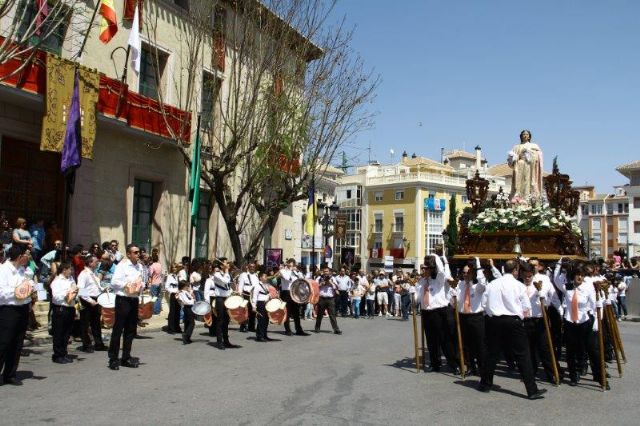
(365,376)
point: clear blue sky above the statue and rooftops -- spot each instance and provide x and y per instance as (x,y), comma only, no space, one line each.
(476,72)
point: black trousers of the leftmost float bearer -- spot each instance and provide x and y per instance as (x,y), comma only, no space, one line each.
(438,334)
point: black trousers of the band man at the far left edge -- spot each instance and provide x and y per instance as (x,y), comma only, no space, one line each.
(13,327)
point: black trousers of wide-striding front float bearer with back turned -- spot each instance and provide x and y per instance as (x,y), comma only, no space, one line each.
(508,332)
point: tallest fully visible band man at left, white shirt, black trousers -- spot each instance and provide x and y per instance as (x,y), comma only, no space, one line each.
(127,284)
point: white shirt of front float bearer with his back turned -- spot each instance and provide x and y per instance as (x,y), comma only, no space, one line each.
(506,296)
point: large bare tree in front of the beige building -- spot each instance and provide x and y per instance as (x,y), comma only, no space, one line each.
(293,93)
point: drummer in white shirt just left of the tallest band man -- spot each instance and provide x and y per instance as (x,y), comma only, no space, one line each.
(91,312)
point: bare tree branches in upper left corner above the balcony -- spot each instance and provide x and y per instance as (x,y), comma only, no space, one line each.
(29,25)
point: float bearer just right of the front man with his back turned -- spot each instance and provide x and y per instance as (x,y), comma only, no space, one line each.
(534,324)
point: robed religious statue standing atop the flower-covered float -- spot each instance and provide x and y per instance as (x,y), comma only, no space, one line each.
(526,161)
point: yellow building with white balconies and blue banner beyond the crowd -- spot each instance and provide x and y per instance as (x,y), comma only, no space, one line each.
(405,207)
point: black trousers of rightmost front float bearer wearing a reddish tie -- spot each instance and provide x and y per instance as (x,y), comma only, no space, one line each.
(580,339)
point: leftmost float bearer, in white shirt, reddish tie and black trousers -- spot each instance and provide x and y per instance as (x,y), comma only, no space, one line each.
(433,292)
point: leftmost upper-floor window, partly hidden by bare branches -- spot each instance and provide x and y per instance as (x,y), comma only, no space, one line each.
(56,29)
